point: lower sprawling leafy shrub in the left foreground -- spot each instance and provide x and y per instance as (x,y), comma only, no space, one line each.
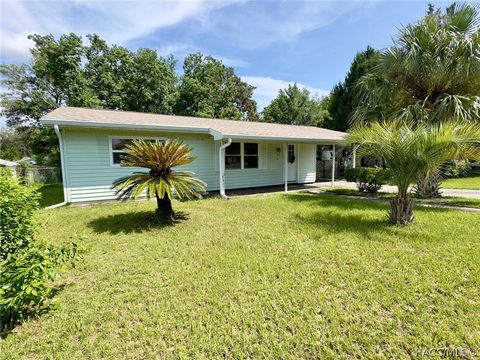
(26,280)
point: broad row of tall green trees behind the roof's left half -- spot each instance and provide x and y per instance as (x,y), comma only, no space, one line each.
(67,71)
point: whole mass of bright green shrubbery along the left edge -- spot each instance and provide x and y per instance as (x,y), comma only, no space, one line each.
(28,267)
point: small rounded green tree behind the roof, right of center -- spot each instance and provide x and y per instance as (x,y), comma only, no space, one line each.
(295,106)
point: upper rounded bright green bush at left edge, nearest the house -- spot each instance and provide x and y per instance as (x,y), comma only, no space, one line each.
(17,205)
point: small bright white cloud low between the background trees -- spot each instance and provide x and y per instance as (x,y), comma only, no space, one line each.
(267,89)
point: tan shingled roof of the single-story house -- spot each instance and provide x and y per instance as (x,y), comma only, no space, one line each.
(72,116)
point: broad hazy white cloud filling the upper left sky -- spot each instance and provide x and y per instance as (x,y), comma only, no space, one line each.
(115,21)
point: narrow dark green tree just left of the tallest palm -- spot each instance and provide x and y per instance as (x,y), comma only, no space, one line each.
(341,101)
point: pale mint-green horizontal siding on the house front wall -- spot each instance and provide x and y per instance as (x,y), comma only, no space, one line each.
(89,173)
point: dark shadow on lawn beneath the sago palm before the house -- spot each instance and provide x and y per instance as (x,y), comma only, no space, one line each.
(132,222)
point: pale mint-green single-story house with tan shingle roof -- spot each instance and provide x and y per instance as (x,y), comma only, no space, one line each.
(229,154)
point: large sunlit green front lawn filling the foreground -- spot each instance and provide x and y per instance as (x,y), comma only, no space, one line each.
(280,276)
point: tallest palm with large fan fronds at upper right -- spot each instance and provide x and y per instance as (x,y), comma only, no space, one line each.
(430,74)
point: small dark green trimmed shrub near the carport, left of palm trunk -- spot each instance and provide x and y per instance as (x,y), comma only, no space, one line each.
(368,180)
